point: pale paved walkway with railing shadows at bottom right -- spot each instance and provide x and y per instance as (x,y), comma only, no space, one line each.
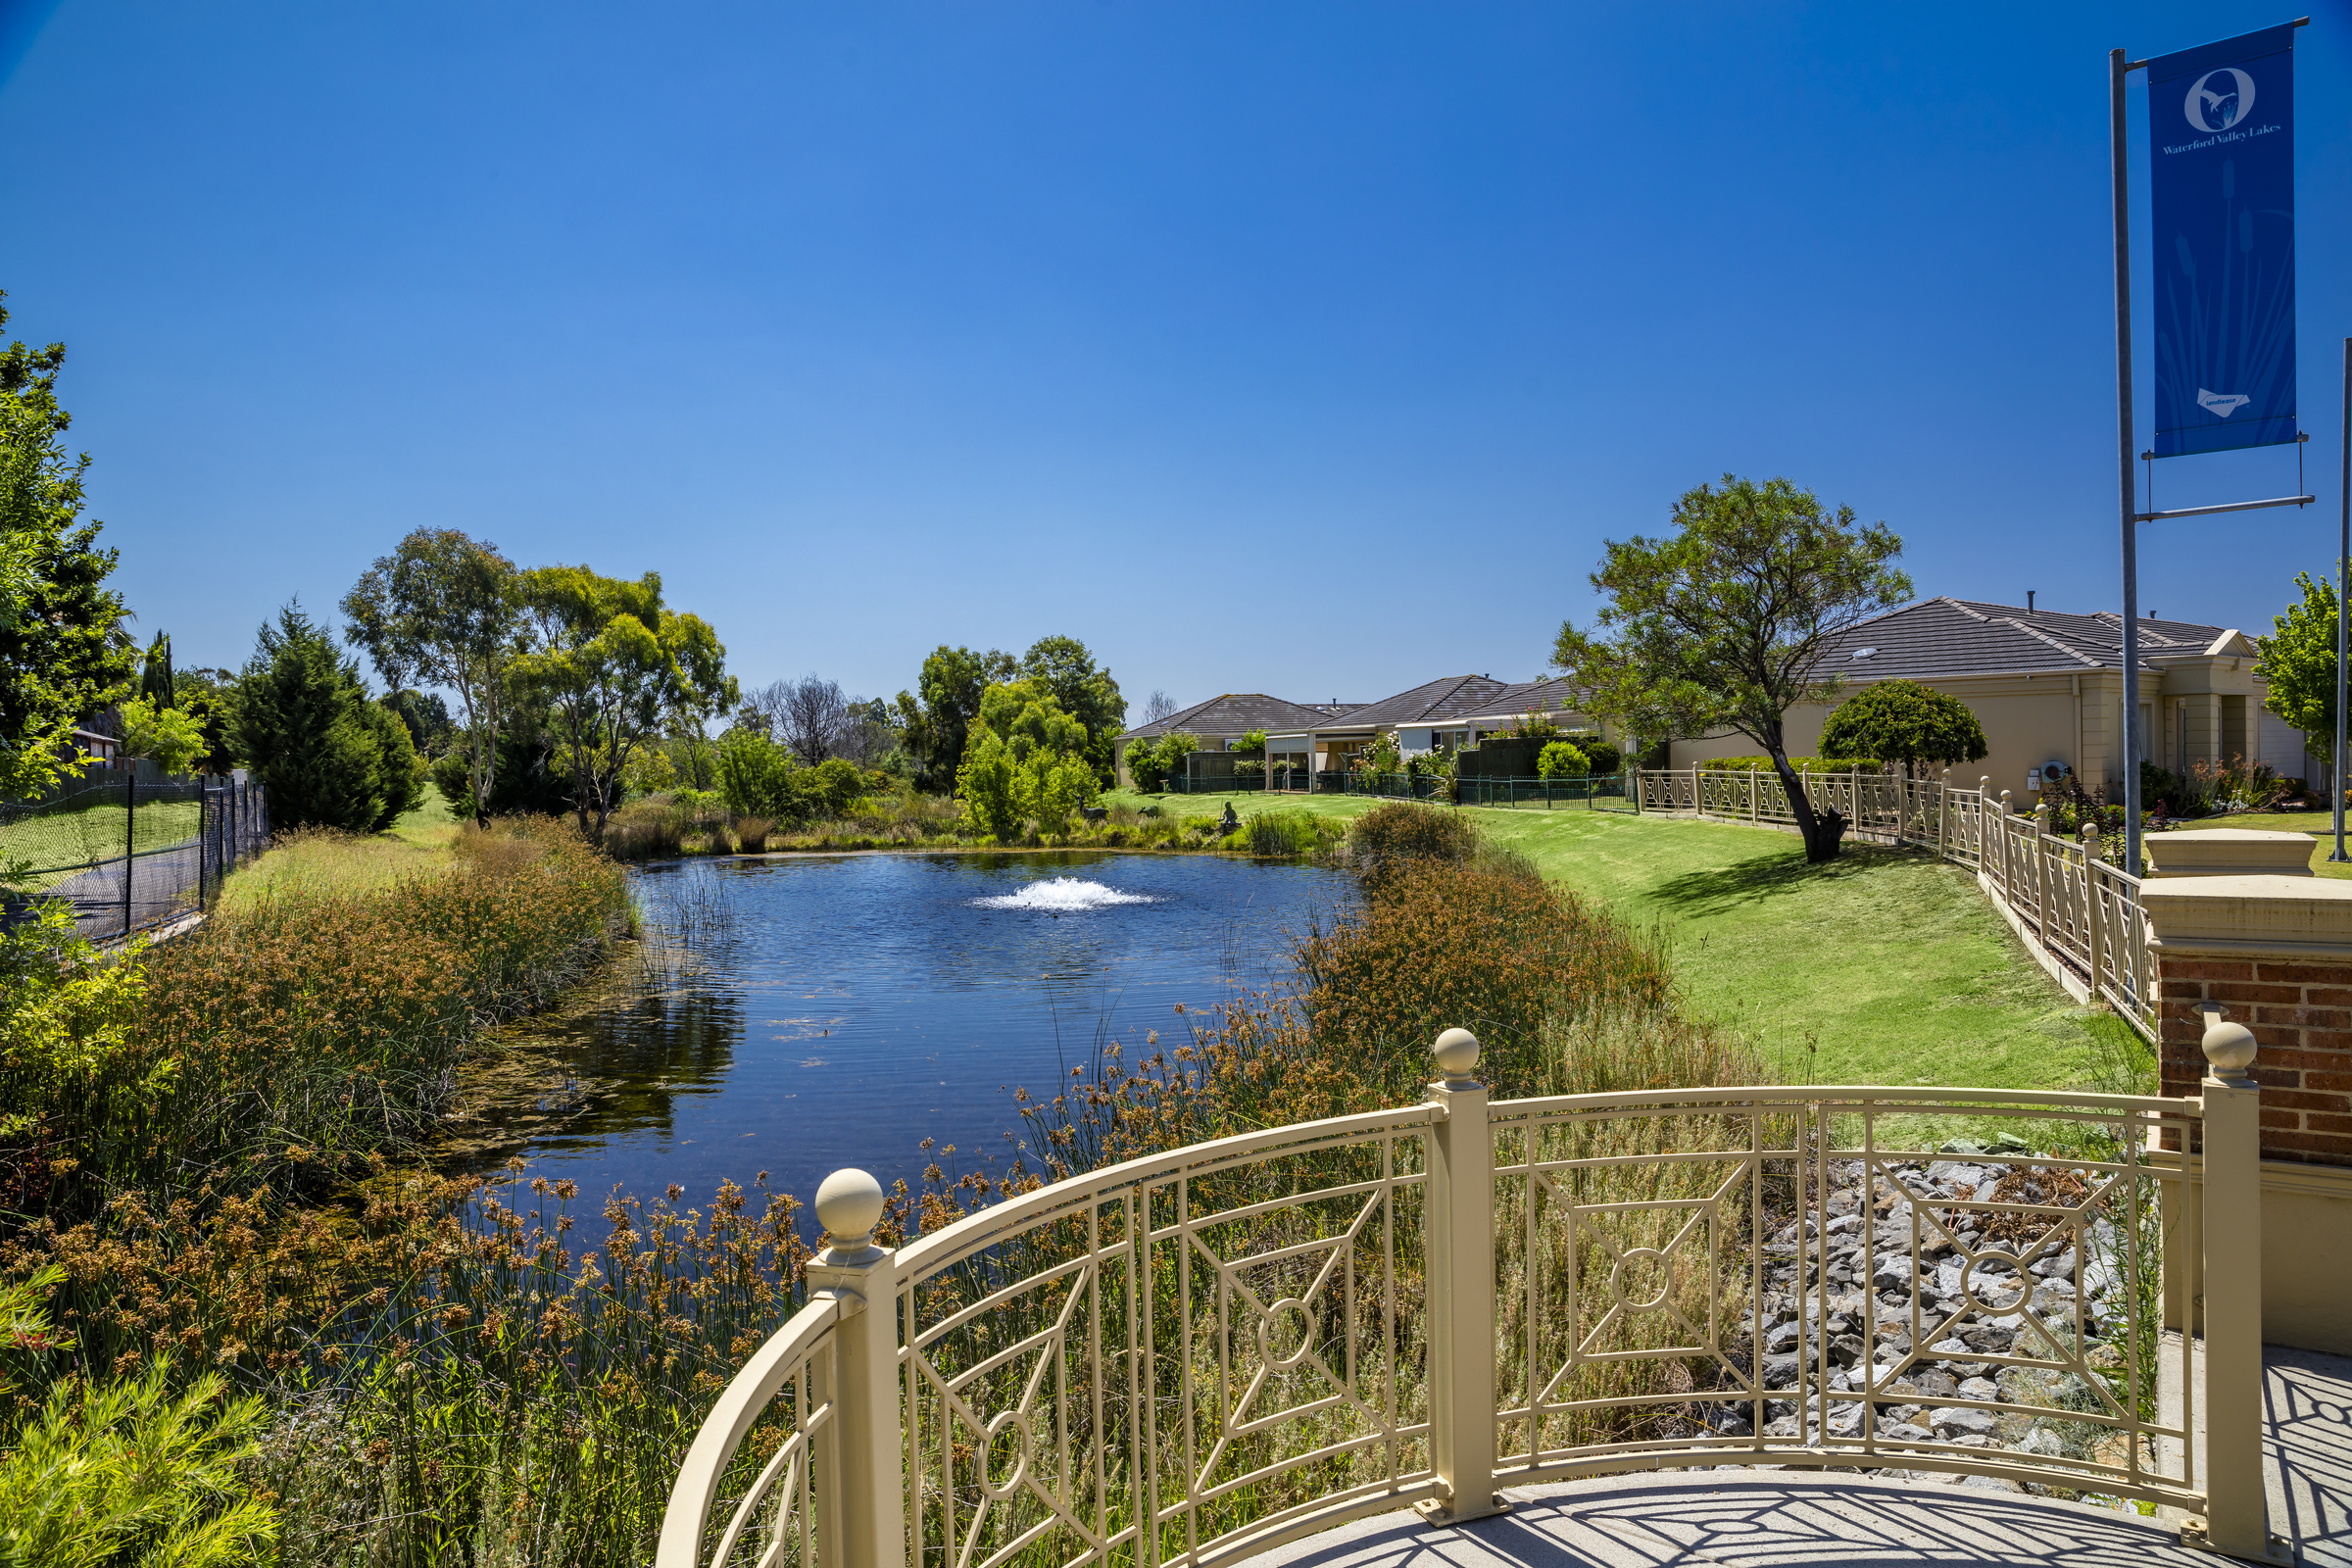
(1782,1517)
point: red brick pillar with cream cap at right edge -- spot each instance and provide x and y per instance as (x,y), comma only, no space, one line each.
(2276,953)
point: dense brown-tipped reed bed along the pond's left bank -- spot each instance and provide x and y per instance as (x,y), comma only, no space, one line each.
(321,1019)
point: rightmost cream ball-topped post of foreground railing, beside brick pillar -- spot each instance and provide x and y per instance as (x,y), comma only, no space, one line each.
(2233,1294)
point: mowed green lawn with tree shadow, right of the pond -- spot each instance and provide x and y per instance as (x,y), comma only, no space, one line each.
(1883,967)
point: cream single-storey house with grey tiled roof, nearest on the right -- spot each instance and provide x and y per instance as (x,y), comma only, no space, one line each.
(2050,688)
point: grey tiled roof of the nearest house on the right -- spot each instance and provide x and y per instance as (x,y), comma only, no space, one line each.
(1942,638)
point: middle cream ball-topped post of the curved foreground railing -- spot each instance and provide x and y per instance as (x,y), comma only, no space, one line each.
(1462,1289)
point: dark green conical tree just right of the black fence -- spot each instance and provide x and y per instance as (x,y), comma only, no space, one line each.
(302,725)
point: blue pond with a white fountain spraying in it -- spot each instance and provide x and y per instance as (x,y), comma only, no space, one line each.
(822,1012)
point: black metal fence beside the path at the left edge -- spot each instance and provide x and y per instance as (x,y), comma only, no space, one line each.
(128,852)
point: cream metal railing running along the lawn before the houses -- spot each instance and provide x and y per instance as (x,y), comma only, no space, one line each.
(2080,909)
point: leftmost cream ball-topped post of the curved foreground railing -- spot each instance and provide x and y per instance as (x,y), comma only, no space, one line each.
(862,1508)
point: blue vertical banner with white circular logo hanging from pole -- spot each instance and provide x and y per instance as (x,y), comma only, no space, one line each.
(2221,147)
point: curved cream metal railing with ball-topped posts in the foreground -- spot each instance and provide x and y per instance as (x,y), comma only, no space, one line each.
(1191,1358)
